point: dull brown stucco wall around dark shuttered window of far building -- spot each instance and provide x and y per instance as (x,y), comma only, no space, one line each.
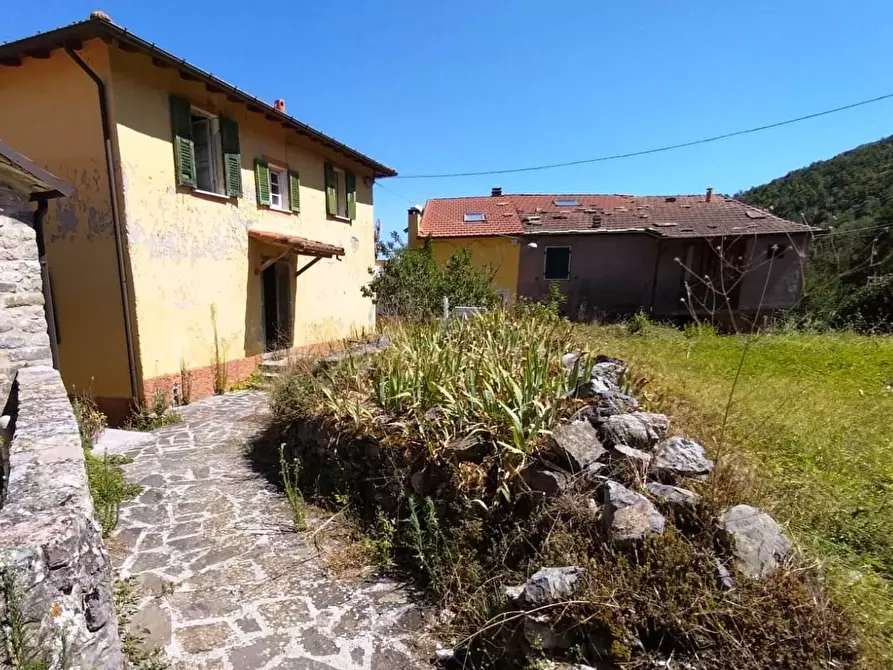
(608,273)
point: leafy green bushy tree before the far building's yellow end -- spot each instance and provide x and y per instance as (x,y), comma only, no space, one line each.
(412,284)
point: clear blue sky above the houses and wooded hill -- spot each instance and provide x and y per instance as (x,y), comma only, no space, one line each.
(469,85)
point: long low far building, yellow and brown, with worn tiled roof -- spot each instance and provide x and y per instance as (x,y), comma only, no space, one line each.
(668,256)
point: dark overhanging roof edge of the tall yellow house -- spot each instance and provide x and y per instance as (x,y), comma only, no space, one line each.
(97,26)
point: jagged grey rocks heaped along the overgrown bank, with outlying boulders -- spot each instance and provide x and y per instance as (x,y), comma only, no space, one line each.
(636,473)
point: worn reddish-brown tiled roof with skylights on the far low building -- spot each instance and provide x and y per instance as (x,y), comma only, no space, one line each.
(663,216)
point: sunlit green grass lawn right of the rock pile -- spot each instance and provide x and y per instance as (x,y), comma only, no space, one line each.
(811,418)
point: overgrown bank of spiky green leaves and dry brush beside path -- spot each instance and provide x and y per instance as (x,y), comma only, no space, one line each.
(438,448)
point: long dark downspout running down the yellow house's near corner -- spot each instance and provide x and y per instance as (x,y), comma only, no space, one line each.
(116,218)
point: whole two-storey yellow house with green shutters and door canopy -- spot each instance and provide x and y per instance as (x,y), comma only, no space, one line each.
(201,216)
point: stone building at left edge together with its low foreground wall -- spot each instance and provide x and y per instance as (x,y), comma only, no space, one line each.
(54,569)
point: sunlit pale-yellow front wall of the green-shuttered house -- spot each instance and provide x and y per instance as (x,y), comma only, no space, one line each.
(190,253)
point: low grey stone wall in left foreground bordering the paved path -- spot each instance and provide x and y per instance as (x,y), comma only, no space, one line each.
(54,564)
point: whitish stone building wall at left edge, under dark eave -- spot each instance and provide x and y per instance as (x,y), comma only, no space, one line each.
(23,327)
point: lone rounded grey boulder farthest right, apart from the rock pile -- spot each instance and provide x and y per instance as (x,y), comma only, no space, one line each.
(757,542)
